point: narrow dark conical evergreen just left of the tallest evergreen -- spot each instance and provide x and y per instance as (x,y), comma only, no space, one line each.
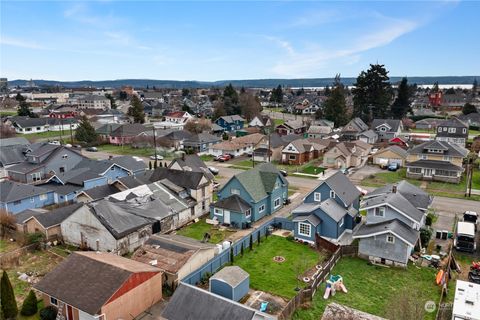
(335,107)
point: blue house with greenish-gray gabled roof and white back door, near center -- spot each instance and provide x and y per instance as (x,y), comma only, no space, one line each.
(249,196)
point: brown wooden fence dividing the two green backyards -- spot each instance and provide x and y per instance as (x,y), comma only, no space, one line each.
(308,293)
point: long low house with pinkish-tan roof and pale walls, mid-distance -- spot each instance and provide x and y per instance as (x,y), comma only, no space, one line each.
(238,146)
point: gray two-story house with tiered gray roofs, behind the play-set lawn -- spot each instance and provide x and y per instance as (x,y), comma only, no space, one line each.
(395,214)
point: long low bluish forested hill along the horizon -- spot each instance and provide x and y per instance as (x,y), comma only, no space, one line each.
(254,83)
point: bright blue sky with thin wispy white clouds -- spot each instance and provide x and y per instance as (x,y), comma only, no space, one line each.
(226,40)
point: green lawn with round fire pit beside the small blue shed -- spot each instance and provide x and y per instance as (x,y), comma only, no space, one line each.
(277,278)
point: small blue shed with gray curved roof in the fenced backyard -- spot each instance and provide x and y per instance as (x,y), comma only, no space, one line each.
(230,282)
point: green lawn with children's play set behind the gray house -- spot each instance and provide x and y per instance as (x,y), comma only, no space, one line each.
(372,288)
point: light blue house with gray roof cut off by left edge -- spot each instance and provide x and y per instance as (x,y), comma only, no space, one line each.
(16,197)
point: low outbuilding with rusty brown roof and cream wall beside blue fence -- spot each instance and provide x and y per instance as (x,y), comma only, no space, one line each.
(175,255)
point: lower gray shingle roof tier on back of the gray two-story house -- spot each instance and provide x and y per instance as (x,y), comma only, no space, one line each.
(396,226)
